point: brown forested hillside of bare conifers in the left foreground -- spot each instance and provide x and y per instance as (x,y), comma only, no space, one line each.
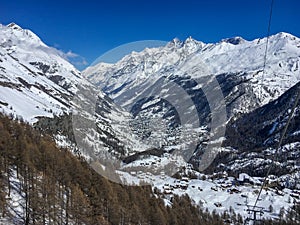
(41,184)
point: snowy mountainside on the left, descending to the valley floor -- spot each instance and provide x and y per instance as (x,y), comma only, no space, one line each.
(40,86)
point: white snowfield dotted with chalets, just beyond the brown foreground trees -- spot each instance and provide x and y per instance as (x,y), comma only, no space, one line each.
(225,191)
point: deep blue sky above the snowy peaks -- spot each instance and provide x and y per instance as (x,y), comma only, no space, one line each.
(91,28)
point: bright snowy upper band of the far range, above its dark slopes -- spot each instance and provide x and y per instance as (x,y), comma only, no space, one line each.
(229,56)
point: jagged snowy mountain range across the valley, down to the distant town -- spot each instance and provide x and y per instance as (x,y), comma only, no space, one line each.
(147,83)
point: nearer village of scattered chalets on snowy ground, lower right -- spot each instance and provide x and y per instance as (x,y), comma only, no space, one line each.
(217,192)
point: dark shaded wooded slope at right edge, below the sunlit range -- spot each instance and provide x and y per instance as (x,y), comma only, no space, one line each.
(256,135)
